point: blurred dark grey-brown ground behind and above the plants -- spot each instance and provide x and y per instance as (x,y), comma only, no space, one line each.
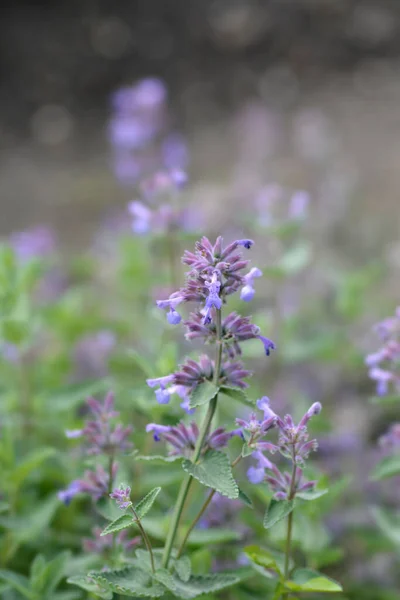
(302,92)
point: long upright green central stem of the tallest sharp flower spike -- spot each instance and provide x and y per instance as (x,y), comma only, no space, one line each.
(187,482)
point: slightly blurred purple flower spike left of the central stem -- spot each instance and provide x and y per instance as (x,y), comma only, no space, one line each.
(101,438)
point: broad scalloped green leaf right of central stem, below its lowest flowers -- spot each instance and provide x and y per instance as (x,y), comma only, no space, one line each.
(214,470)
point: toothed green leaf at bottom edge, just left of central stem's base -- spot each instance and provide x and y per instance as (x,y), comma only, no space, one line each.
(129,582)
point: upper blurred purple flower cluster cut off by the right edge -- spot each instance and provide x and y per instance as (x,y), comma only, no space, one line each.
(384,364)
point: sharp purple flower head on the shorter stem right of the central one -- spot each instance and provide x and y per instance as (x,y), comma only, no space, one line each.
(295,445)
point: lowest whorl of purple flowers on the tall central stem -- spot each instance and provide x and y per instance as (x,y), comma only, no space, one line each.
(183,438)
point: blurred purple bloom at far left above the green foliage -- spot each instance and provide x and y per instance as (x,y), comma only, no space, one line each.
(38,242)
